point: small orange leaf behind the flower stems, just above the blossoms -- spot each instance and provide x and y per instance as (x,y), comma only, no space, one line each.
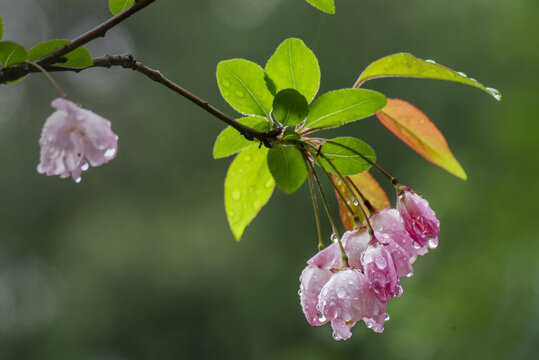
(371,191)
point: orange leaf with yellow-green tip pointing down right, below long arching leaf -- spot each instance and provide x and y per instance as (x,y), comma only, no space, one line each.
(413,127)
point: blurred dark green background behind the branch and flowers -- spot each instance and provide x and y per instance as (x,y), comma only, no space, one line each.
(137,261)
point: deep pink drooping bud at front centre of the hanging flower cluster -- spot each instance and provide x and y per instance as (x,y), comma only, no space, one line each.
(381,272)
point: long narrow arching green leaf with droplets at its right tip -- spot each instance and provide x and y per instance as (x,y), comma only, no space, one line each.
(407,65)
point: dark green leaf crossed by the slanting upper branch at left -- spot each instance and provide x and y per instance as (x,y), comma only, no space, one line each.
(78,59)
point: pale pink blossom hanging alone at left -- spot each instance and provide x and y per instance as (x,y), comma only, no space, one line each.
(74,138)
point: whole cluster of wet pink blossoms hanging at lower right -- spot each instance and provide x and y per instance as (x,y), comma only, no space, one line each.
(361,289)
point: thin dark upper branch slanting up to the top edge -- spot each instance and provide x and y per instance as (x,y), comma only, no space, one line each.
(98,31)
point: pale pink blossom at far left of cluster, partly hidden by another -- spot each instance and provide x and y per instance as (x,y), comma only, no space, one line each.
(312,280)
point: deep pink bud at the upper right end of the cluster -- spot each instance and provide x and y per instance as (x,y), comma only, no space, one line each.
(419,219)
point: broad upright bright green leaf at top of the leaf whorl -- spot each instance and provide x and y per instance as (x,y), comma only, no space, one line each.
(294,66)
